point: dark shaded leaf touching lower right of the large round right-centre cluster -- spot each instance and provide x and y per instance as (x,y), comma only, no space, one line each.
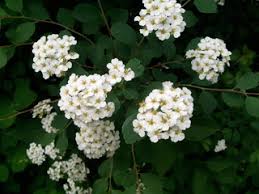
(201,129)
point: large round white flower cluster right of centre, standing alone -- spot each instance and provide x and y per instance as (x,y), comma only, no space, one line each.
(165,114)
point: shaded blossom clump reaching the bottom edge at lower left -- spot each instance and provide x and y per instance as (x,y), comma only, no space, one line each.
(74,170)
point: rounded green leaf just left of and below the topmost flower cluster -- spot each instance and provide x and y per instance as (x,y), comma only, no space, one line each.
(124,33)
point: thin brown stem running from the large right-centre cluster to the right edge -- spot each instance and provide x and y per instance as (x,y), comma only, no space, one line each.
(220,90)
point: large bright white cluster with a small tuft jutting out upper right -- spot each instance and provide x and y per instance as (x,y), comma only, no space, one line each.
(84,97)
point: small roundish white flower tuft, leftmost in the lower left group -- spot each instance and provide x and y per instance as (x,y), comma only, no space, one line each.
(36,154)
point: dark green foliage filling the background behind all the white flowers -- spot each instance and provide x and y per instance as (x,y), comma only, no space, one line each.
(226,110)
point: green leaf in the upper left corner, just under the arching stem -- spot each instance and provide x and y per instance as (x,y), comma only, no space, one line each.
(22,33)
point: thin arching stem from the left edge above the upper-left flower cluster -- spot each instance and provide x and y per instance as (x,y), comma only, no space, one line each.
(49,22)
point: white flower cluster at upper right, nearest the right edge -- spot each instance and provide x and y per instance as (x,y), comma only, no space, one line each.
(210,58)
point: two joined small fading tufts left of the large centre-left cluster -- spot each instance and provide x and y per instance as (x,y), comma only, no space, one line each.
(43,111)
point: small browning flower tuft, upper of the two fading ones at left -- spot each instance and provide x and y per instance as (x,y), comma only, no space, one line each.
(41,109)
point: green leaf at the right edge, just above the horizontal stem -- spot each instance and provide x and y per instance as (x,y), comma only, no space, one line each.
(248,81)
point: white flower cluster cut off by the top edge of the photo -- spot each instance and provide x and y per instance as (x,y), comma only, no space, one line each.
(162,16)
